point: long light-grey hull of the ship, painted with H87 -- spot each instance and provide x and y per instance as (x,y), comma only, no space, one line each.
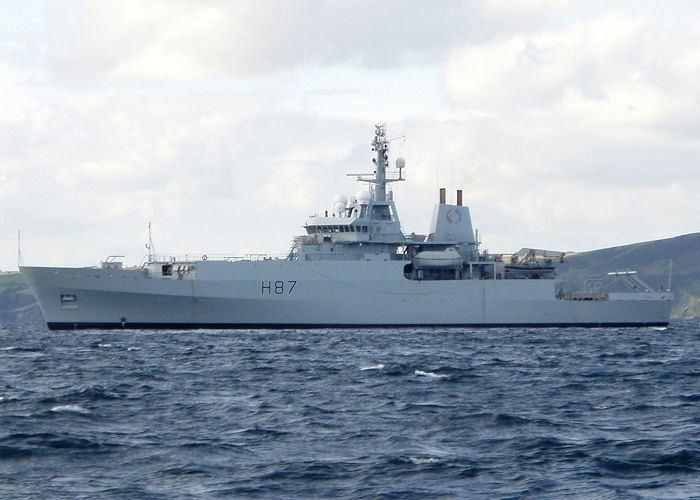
(284,293)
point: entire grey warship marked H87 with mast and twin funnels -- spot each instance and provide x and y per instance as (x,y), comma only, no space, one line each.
(353,267)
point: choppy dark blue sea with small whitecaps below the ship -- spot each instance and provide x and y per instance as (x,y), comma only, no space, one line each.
(351,413)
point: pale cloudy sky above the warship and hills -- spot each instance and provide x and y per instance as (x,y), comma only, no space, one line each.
(569,125)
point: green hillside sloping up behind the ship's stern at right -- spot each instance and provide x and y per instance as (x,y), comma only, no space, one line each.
(651,260)
